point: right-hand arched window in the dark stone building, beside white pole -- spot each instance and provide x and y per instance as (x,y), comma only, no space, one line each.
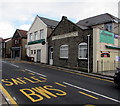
(82,51)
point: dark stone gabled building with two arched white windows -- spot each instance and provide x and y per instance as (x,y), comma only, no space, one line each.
(65,44)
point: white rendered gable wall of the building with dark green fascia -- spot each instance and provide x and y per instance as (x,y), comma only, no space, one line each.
(37,25)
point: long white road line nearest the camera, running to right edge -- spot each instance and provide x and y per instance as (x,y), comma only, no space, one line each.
(112,99)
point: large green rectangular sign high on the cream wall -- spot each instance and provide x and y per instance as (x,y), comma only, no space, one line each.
(106,37)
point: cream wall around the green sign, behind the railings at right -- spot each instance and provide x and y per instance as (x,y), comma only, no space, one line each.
(103,63)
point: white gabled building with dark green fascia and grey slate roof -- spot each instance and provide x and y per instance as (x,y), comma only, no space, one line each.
(37,46)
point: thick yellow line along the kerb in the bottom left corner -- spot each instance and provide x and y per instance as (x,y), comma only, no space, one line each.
(12,101)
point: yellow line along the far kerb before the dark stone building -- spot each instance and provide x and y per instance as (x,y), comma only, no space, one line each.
(82,74)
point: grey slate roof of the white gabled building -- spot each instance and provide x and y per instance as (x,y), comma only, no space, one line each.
(49,22)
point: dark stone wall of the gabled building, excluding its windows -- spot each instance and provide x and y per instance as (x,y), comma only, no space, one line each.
(68,33)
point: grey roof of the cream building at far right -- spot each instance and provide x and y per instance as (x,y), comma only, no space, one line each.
(99,19)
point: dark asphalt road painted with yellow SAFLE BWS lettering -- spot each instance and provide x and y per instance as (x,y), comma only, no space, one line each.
(28,83)
